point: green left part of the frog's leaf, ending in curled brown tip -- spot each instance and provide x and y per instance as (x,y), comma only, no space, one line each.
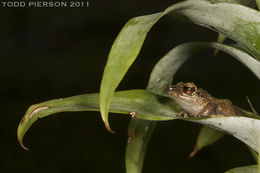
(147,105)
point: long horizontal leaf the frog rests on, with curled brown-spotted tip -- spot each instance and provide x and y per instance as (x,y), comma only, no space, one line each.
(146,105)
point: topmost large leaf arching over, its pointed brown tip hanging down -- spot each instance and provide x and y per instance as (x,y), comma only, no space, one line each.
(237,22)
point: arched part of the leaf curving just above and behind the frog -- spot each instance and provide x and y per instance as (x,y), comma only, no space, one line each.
(177,56)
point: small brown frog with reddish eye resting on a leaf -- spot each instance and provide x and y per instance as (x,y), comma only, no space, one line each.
(197,102)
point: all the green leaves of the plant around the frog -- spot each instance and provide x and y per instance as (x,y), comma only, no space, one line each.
(230,18)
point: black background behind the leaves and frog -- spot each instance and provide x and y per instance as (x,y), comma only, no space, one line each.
(49,53)
